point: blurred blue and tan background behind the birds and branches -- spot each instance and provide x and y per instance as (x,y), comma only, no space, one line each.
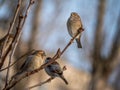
(94,67)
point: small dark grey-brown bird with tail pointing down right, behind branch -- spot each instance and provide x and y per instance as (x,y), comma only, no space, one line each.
(54,70)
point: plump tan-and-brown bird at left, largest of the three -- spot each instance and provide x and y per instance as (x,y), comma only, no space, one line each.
(33,61)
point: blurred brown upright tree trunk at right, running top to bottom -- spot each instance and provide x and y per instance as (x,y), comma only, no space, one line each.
(96,55)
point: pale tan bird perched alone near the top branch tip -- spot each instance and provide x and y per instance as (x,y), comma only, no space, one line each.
(74,24)
